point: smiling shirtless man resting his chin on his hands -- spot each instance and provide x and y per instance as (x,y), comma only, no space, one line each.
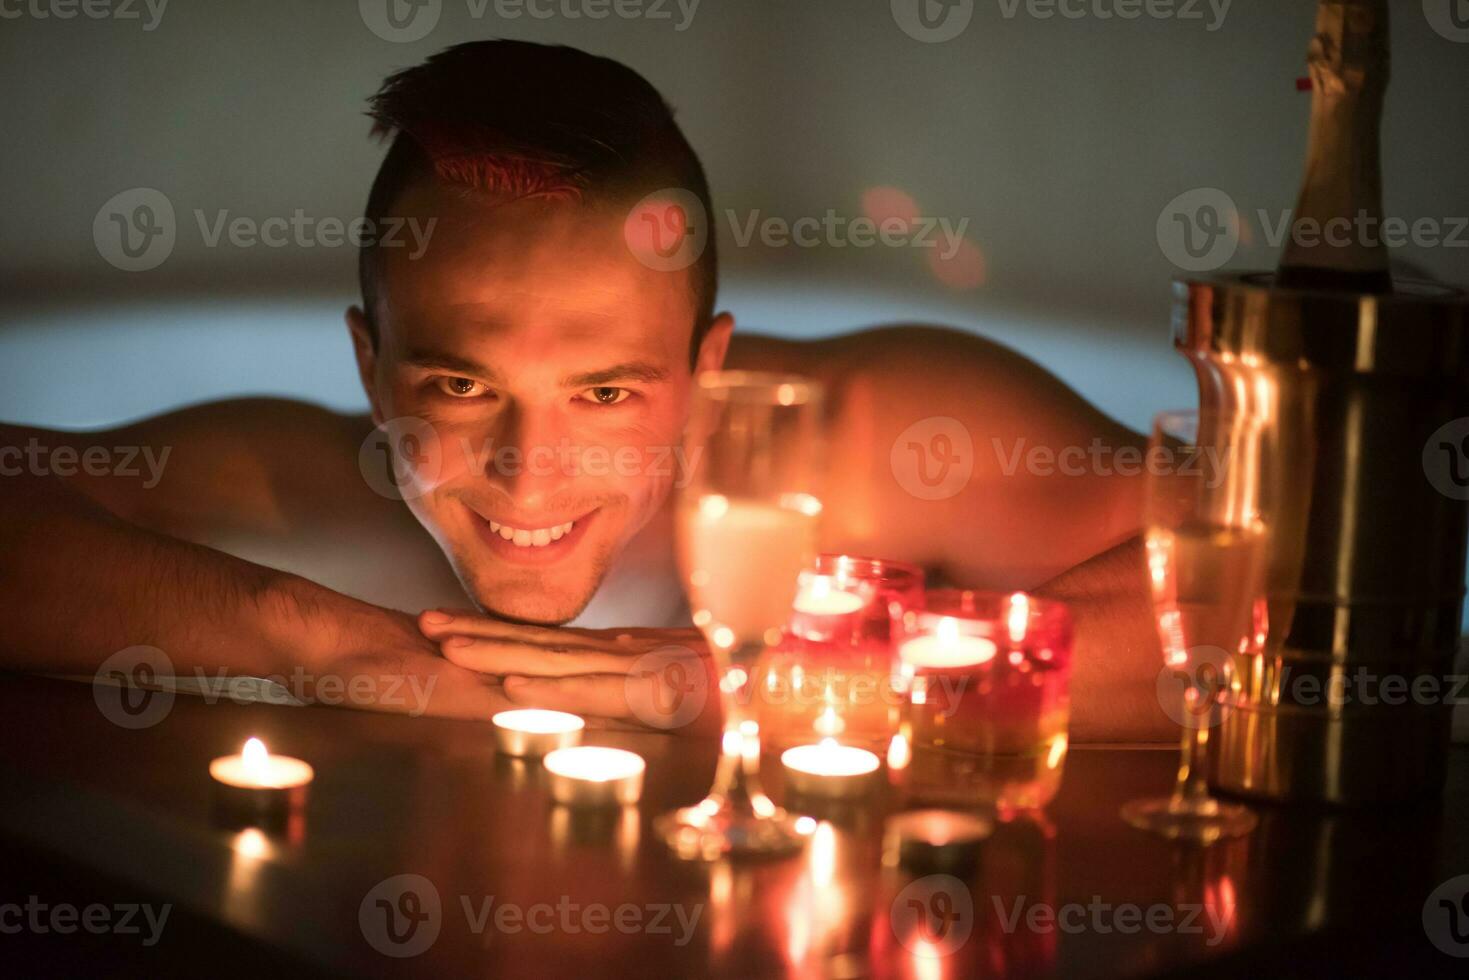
(534,330)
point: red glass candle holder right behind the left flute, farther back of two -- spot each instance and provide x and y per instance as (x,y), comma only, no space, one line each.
(831,677)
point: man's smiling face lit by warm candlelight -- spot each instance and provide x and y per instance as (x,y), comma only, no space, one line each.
(553,371)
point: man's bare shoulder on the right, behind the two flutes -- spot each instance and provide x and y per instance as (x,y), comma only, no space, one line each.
(935,427)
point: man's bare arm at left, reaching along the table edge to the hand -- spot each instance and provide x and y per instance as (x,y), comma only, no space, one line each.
(80,583)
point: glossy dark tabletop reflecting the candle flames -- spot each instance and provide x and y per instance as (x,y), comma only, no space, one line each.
(93,812)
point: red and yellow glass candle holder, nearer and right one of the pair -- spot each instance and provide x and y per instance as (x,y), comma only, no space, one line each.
(985,682)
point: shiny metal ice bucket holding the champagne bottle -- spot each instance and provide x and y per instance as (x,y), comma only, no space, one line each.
(1367,574)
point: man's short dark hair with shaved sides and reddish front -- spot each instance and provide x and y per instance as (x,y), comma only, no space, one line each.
(521,121)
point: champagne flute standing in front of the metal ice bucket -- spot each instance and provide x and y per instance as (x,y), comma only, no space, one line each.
(1208,486)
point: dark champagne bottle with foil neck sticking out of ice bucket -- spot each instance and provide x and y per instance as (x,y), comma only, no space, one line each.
(1336,240)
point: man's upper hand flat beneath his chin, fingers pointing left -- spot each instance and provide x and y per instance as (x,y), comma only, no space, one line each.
(653,678)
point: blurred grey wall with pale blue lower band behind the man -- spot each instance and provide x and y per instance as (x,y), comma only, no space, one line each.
(1060,140)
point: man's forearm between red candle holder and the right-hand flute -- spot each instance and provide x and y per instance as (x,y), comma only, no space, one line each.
(1116,663)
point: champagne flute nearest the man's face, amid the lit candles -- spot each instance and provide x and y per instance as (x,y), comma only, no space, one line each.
(747,527)
